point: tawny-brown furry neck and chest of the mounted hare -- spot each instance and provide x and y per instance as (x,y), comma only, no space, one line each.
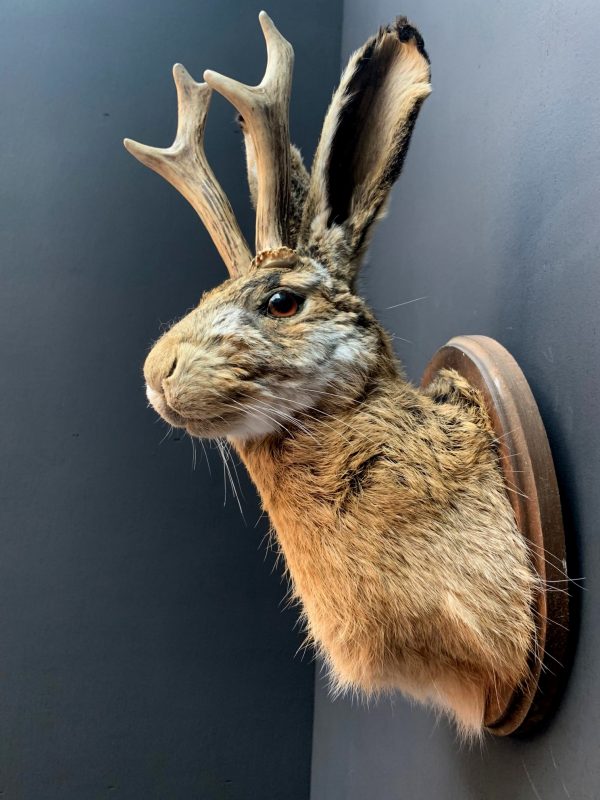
(401,544)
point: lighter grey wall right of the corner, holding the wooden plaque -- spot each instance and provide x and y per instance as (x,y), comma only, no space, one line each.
(495,221)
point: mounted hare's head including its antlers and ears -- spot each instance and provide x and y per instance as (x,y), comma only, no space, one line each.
(288,322)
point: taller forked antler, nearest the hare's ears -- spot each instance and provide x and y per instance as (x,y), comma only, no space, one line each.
(264,109)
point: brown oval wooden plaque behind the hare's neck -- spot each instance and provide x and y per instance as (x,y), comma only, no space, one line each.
(528,470)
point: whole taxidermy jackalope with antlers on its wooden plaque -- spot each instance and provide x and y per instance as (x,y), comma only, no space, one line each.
(389,502)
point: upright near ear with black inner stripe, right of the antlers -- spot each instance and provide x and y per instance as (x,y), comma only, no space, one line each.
(364,141)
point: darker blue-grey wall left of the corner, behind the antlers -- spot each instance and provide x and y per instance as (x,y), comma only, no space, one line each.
(143,650)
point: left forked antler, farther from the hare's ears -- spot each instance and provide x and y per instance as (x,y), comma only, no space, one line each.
(185,166)
